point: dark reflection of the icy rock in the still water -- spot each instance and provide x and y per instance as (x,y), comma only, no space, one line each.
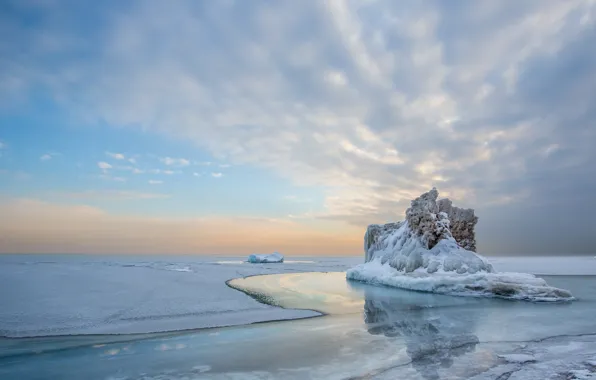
(433,339)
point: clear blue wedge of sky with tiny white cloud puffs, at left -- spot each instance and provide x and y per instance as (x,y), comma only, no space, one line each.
(51,157)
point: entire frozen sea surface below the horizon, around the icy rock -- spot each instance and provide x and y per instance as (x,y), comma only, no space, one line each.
(149,317)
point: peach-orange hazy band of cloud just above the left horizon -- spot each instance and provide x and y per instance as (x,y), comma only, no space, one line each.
(33,226)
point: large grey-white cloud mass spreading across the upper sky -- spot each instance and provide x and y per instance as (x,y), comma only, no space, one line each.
(374,102)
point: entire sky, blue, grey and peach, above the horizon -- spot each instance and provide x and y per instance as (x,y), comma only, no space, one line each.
(233,127)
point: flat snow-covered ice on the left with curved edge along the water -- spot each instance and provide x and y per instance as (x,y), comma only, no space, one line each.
(71,294)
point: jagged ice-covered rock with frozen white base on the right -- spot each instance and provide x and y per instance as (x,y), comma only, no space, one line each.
(433,251)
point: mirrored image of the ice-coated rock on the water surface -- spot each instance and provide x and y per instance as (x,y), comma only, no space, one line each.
(433,330)
